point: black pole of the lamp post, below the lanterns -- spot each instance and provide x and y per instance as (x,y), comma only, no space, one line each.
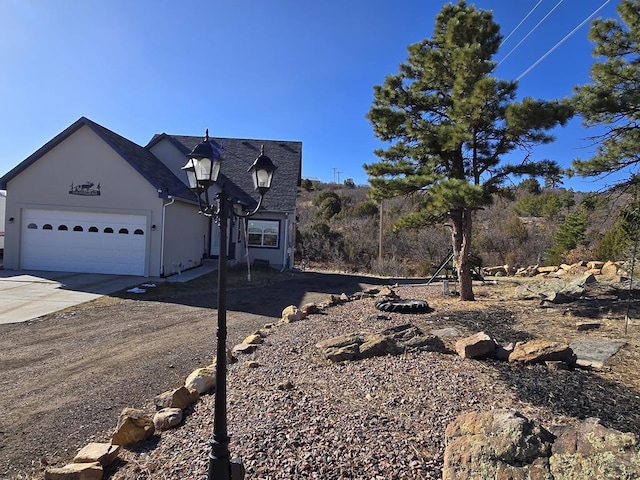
(219,457)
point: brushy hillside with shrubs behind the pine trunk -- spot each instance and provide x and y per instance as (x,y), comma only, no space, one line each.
(339,227)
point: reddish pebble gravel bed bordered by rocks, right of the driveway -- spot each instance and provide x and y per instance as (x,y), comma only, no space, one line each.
(296,416)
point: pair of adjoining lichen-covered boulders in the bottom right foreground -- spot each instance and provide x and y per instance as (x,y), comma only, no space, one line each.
(503,444)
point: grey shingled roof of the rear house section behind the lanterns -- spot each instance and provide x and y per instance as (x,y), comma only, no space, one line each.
(237,156)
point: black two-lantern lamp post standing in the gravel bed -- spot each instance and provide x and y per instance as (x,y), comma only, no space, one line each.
(202,171)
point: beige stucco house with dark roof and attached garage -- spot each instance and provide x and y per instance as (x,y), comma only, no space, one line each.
(90,200)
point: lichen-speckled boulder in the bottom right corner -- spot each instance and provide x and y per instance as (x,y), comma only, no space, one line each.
(593,451)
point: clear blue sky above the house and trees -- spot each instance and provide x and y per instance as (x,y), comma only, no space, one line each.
(277,69)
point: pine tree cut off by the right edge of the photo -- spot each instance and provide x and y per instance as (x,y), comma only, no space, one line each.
(612,98)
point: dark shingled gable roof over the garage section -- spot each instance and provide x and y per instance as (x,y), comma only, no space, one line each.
(141,159)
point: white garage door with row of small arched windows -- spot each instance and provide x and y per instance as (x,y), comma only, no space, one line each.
(83,242)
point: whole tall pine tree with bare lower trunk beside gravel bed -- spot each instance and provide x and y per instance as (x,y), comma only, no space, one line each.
(449,122)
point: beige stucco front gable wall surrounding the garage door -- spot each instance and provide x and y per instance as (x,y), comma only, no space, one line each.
(67,179)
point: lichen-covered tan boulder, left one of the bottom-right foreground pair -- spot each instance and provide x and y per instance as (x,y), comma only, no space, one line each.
(500,444)
